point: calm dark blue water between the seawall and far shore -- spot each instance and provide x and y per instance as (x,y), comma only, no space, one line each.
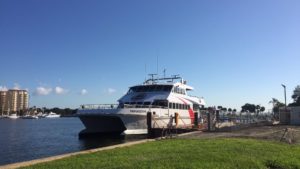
(28,139)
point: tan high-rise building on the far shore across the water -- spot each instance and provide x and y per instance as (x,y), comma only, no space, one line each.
(13,101)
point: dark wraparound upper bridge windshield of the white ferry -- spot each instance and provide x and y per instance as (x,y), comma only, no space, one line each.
(151,88)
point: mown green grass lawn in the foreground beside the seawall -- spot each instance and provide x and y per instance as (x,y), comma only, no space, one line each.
(189,153)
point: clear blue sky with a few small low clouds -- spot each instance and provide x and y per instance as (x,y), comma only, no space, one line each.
(68,53)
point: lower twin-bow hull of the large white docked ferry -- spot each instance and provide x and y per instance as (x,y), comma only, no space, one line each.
(127,121)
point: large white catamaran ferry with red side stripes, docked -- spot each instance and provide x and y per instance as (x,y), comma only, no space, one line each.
(161,96)
